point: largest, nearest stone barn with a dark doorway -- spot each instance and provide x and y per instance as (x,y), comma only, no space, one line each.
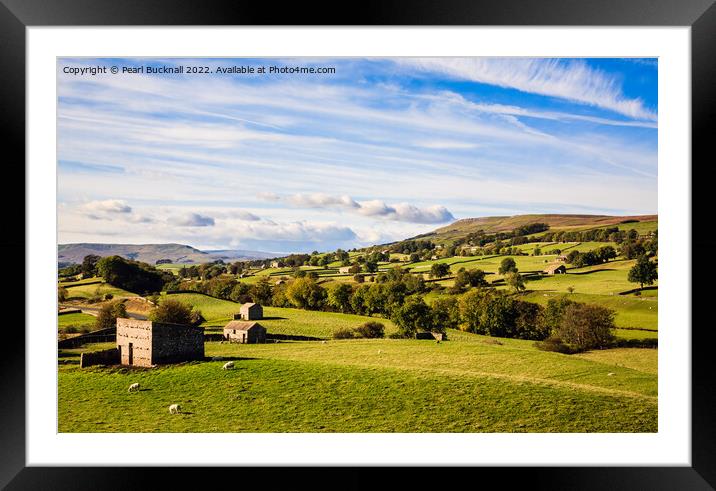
(147,343)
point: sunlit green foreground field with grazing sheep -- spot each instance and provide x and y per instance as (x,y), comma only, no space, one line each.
(469,384)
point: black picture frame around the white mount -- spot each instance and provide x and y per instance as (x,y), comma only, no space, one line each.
(700,15)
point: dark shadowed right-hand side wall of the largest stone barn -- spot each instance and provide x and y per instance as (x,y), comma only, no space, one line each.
(172,343)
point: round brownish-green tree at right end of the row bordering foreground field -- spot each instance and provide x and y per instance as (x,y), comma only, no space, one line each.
(586,326)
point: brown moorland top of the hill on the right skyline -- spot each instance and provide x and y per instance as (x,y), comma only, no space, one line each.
(466,226)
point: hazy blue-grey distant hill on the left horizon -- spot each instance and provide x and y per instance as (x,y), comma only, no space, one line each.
(151,253)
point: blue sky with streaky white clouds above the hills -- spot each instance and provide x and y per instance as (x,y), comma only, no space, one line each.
(376,150)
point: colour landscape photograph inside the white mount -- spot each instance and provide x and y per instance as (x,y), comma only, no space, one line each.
(357,245)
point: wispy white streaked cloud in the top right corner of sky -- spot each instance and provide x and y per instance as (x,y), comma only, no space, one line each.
(572,80)
